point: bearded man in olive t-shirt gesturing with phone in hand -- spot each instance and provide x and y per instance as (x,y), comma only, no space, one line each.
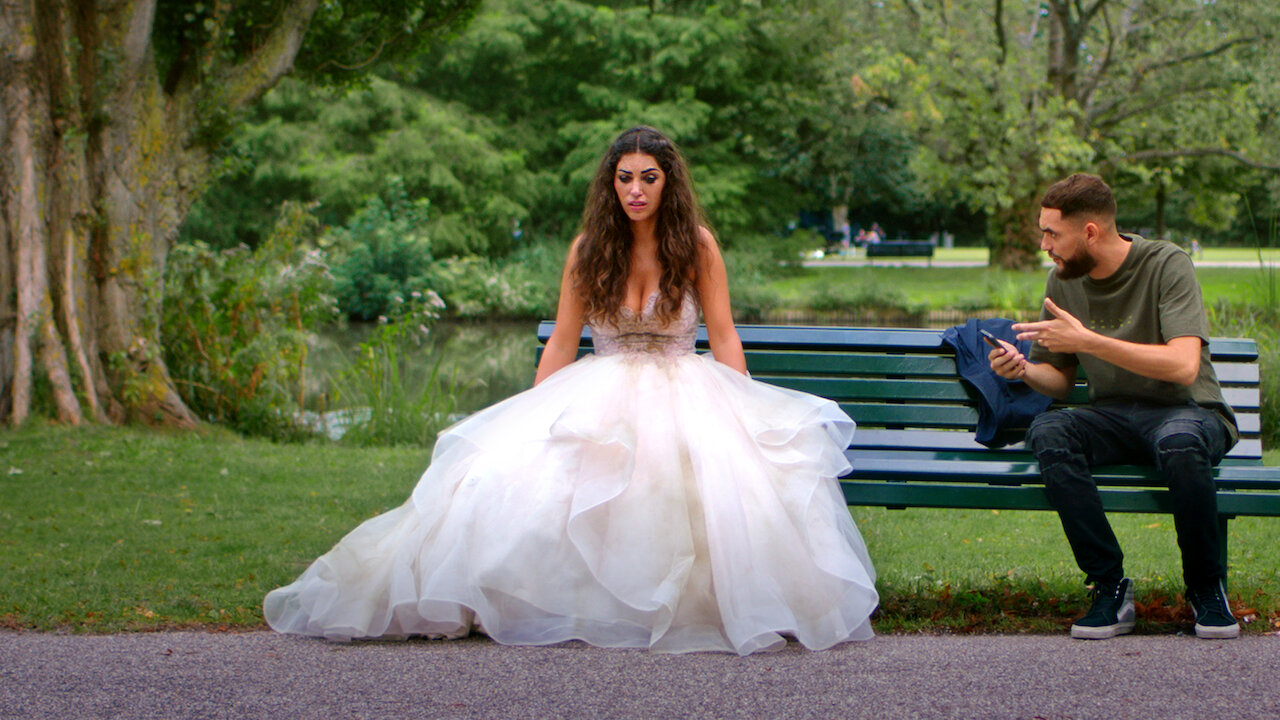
(1130,313)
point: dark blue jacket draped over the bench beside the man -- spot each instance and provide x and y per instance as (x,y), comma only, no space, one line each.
(1008,407)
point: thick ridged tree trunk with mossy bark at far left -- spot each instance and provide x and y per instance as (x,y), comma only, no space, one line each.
(99,165)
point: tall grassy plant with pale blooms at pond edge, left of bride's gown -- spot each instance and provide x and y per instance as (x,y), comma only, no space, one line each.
(376,390)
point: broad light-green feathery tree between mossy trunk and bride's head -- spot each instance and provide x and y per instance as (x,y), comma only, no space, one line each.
(340,149)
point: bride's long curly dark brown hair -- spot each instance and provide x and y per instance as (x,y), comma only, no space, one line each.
(605,252)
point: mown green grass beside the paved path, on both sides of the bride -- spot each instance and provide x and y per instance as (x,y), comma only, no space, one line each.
(107,530)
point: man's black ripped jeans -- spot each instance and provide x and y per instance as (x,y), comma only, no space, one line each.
(1185,443)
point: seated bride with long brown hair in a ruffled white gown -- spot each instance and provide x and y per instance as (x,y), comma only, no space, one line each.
(643,496)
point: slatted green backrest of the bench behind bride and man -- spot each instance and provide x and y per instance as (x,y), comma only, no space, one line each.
(902,389)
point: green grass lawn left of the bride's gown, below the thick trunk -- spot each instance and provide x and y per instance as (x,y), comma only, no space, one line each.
(117,528)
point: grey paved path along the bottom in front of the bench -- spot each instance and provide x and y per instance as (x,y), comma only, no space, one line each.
(208,676)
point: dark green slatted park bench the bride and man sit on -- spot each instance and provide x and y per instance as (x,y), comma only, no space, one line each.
(916,446)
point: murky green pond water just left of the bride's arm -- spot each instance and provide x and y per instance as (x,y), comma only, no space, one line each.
(487,362)
